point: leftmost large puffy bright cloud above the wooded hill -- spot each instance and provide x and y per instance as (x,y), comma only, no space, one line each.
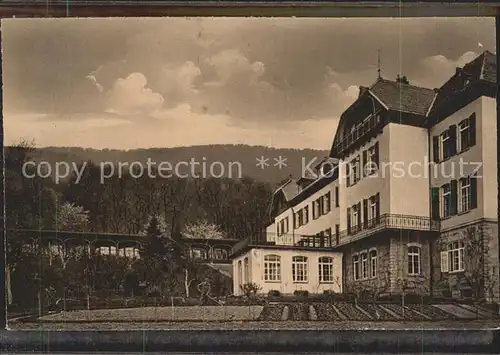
(130,96)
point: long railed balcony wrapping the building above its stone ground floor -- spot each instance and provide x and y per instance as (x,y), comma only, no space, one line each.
(387,222)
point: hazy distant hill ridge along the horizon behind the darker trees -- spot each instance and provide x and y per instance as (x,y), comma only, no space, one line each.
(242,157)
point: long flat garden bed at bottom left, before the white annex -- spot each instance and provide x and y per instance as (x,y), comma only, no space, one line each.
(156,314)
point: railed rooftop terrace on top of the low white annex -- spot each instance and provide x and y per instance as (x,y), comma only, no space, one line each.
(286,241)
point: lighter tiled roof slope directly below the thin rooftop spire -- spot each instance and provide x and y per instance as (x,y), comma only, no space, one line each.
(403,97)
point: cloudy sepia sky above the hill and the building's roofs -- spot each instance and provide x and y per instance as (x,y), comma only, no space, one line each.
(165,82)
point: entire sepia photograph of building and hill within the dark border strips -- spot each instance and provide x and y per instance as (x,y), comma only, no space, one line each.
(250,173)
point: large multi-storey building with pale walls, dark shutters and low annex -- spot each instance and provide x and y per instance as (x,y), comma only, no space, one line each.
(406,201)
